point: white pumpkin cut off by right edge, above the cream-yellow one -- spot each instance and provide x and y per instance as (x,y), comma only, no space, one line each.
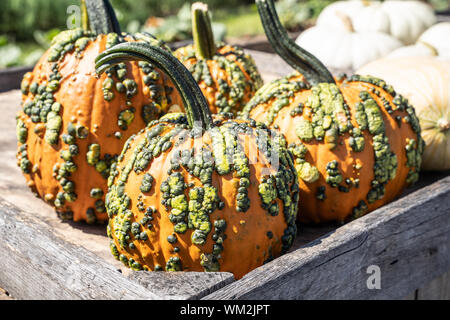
(434,42)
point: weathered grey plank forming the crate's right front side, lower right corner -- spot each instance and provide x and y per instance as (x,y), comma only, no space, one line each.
(409,240)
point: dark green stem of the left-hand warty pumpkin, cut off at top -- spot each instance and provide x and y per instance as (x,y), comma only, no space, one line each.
(101,16)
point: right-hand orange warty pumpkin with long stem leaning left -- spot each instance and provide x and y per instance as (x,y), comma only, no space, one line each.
(355,140)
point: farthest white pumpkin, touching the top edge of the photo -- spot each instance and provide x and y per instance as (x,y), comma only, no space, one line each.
(403,20)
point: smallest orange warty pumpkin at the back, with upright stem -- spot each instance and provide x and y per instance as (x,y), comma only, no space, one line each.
(227,75)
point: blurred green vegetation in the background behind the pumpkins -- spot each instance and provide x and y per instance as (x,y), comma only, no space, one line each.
(27,26)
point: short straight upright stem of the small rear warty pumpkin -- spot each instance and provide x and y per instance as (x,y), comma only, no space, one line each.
(202,34)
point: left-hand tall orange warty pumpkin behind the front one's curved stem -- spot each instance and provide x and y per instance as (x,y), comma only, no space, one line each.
(73,125)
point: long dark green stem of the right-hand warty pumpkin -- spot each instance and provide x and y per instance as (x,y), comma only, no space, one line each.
(299,59)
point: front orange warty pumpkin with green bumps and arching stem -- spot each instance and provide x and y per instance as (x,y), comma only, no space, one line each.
(201,199)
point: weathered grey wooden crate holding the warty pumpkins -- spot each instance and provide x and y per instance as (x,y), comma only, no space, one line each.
(42,257)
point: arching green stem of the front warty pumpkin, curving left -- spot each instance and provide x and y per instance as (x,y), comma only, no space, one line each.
(194,101)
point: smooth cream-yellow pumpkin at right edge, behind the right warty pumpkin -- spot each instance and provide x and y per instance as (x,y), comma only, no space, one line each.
(425,81)
